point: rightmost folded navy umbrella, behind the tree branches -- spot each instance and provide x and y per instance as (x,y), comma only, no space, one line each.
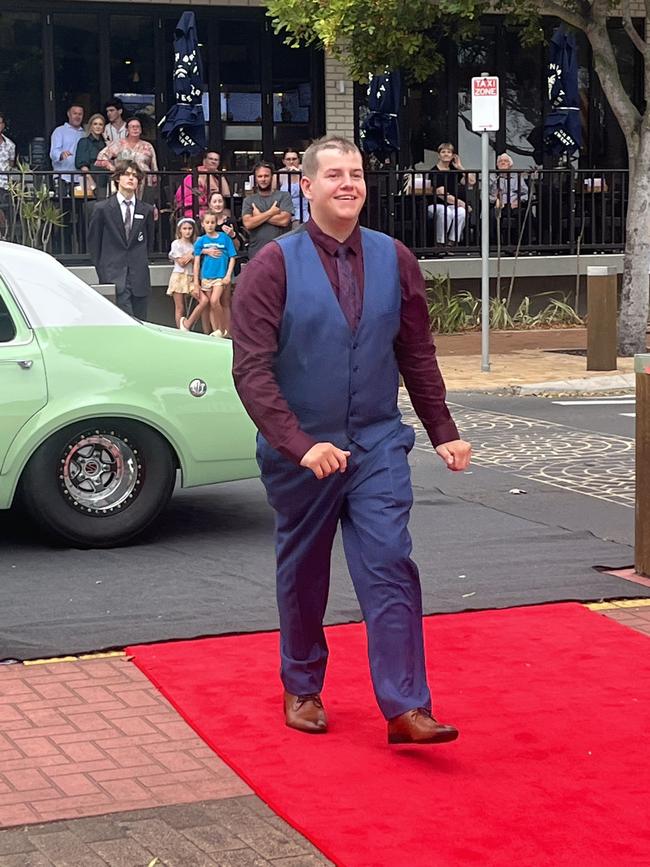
(562,126)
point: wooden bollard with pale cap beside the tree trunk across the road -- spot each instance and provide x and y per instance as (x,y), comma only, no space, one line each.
(601,317)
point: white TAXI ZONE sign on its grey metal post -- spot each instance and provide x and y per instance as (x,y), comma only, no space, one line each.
(485,118)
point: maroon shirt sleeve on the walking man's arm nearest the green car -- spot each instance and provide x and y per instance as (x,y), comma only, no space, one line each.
(258,305)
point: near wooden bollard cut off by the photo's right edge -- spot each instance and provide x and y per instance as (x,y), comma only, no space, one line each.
(642,520)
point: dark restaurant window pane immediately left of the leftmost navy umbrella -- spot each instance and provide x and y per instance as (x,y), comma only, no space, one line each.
(133,68)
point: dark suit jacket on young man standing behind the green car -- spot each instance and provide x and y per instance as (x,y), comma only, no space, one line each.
(118,259)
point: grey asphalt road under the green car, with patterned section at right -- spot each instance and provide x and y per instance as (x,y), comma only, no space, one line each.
(207,565)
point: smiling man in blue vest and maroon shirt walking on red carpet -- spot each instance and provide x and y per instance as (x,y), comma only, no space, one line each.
(325,319)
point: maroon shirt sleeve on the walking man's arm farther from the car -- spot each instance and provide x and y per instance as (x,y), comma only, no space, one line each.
(416,354)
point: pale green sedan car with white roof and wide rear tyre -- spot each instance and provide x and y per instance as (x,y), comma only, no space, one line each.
(98,411)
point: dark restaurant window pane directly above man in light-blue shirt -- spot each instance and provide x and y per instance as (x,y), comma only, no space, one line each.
(76,63)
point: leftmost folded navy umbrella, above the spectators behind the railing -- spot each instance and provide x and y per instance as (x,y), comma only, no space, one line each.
(183,127)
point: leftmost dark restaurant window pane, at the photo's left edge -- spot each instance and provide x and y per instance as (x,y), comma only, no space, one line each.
(21,61)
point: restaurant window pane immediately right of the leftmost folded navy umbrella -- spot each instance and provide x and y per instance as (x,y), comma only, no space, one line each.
(241,102)
